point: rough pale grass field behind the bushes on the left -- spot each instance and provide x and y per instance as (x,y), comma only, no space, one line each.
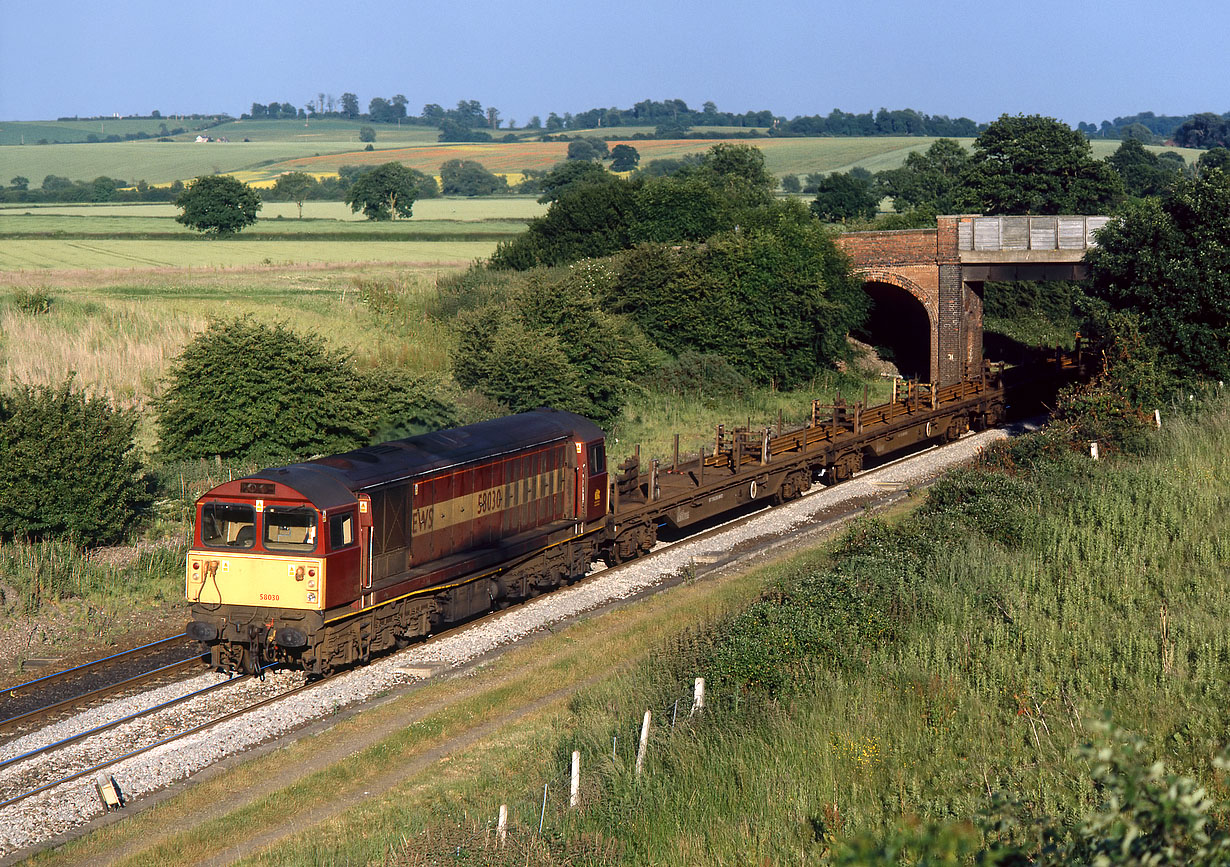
(120,330)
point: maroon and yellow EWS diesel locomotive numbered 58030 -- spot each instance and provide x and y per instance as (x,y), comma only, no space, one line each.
(319,565)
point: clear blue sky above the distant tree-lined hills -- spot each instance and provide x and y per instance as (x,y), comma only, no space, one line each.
(1072,60)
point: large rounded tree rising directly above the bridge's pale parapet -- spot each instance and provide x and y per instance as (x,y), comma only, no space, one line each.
(1036,165)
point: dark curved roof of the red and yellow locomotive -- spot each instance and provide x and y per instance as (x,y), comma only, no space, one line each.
(334,480)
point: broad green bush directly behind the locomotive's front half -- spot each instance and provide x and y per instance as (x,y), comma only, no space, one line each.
(266,394)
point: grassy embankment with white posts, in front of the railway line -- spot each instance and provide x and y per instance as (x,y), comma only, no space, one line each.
(960,651)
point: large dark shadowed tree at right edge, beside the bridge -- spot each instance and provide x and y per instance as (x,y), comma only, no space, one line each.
(1169,263)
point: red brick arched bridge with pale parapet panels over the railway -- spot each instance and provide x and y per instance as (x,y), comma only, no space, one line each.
(944,270)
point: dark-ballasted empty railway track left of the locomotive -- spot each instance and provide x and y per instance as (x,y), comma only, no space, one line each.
(45,700)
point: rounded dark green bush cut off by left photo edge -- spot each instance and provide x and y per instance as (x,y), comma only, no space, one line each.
(68,465)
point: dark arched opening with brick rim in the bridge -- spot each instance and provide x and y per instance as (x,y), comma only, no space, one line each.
(905,318)
